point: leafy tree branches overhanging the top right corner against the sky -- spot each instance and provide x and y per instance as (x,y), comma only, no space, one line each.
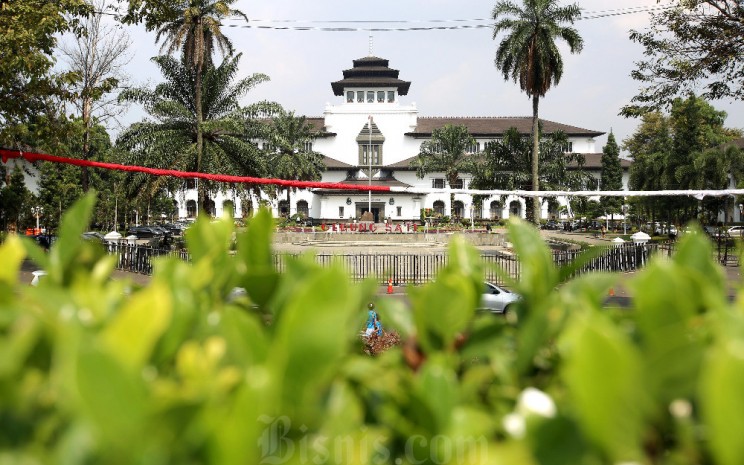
(693,44)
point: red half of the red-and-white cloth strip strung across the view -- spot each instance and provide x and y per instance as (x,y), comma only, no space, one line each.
(32,157)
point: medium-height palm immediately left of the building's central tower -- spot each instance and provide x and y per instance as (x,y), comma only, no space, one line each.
(292,157)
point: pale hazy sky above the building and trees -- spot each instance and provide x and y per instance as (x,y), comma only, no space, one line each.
(452,71)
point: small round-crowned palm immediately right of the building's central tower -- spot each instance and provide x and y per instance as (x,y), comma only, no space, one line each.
(446,152)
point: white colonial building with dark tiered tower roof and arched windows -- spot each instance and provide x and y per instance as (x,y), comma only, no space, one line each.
(370,127)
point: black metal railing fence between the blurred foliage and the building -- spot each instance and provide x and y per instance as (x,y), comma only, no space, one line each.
(408,269)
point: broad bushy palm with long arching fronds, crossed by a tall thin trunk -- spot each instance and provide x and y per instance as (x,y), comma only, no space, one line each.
(169,138)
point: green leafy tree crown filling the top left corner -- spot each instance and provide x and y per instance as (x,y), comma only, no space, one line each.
(28,35)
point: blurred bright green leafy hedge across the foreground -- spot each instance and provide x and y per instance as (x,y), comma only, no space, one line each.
(186,370)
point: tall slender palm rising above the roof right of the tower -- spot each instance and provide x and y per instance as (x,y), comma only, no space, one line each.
(528,54)
